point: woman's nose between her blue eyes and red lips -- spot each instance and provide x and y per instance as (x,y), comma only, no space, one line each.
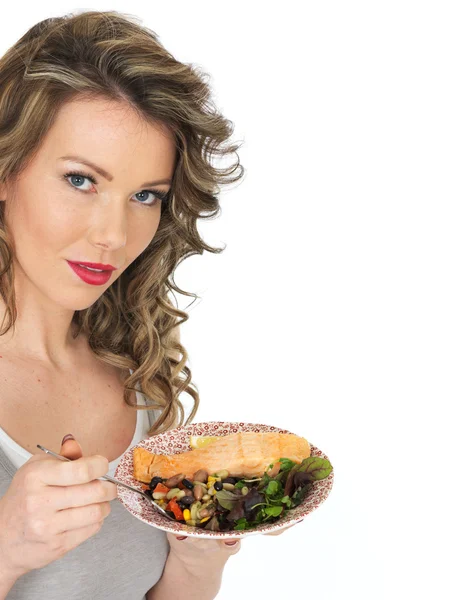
(110,226)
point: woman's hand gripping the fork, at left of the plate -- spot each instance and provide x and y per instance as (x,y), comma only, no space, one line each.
(51,507)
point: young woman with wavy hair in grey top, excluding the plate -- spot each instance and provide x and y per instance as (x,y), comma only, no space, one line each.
(105,148)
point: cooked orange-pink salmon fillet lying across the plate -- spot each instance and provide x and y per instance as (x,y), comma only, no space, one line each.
(244,454)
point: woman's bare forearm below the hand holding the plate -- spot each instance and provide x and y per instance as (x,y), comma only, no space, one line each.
(178,583)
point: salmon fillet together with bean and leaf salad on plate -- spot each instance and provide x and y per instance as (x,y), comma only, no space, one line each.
(241,496)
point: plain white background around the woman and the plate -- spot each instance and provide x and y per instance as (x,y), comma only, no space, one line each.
(328,312)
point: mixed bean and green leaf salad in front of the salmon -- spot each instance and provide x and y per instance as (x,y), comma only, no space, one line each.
(218,502)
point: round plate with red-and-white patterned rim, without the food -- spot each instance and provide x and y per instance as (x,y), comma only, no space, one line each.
(176,441)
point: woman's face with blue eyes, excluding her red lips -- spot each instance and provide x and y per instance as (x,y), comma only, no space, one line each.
(54,219)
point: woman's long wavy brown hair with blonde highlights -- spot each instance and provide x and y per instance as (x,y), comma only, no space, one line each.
(110,55)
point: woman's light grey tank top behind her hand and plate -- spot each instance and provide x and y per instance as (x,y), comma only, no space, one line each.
(122,561)
